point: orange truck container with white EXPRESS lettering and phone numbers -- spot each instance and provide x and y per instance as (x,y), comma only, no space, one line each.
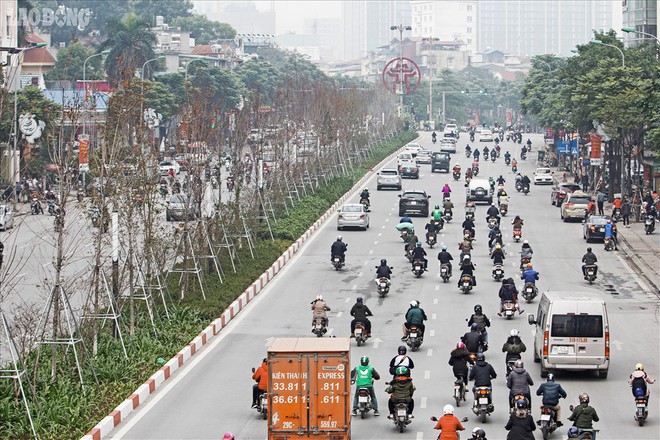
(309,389)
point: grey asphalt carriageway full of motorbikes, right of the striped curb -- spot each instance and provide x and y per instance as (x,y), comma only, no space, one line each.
(212,394)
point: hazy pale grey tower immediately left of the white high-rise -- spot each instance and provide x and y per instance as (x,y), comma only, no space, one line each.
(367,24)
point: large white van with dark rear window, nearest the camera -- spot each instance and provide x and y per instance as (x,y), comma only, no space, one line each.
(572,333)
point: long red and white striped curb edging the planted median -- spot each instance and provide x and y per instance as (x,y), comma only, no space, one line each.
(139,396)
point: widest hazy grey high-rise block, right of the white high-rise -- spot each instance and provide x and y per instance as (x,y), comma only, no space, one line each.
(530,28)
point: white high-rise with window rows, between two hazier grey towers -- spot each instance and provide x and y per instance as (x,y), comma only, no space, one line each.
(446,20)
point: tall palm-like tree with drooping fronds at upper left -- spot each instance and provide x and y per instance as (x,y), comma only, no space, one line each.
(131,43)
